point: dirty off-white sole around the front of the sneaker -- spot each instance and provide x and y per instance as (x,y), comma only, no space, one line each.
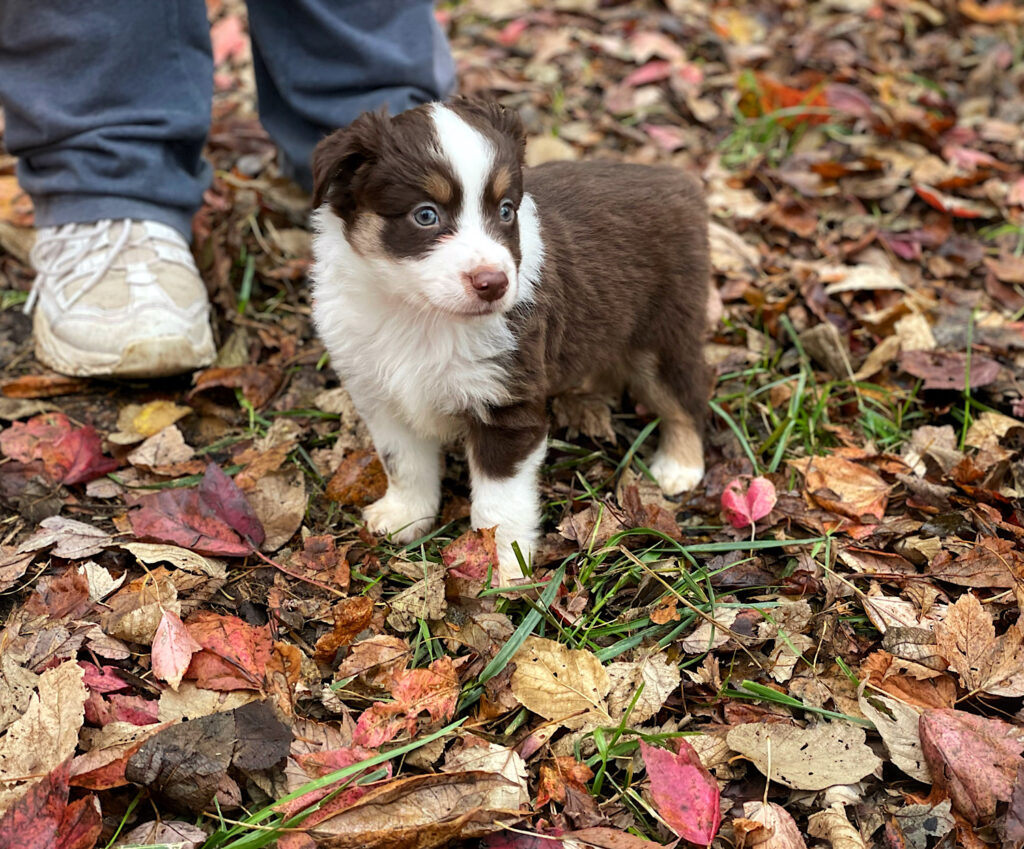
(157,357)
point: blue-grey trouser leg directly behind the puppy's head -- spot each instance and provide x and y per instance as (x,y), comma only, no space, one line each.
(322,63)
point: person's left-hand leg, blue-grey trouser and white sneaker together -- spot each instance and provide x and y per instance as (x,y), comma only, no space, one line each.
(108,107)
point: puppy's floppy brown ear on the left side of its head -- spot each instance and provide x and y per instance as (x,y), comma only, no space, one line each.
(339,157)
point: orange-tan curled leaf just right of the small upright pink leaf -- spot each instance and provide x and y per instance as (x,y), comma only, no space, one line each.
(844,488)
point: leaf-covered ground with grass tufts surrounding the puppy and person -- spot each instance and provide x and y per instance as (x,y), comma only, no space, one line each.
(821,645)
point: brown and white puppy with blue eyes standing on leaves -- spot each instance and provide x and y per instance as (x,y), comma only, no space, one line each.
(457,291)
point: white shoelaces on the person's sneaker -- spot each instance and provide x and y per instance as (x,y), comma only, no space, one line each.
(60,251)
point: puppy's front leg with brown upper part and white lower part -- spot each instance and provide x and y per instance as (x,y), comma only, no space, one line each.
(505,456)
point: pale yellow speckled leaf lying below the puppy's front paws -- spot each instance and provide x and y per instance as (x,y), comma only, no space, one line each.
(559,684)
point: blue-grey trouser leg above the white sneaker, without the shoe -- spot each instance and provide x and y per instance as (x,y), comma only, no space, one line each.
(108,107)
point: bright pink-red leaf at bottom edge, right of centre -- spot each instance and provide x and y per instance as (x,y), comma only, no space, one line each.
(685,793)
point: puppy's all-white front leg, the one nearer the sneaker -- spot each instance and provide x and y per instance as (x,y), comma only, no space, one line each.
(414,478)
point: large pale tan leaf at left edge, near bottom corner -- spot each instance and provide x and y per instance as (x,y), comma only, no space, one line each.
(46,736)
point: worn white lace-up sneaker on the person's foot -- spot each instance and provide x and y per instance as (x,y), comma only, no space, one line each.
(120,299)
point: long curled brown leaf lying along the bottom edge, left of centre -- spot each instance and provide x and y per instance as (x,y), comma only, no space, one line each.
(424,812)
